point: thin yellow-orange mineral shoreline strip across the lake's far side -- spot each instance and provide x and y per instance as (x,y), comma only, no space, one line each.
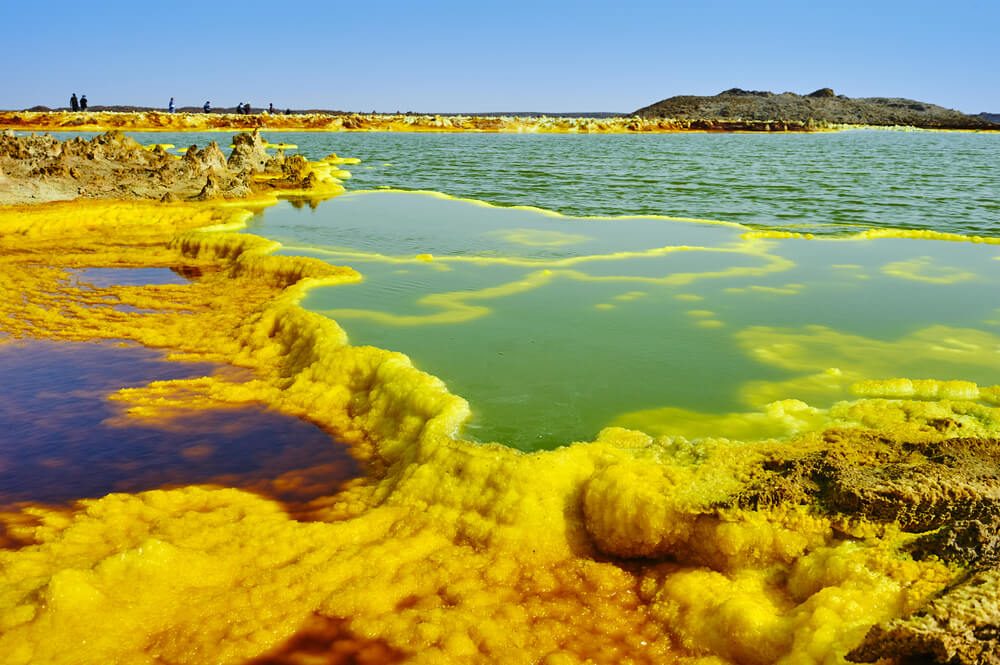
(160,121)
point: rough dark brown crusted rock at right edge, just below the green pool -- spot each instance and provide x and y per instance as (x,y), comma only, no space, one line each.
(950,488)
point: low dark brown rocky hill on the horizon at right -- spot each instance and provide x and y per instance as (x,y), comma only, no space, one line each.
(822,107)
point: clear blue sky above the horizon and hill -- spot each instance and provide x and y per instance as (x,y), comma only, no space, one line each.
(494,56)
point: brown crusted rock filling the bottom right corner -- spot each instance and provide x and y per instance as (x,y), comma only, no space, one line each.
(961,627)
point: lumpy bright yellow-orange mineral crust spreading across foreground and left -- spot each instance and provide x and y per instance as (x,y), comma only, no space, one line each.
(628,548)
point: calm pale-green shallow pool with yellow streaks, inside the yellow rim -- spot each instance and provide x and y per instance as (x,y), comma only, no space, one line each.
(556,327)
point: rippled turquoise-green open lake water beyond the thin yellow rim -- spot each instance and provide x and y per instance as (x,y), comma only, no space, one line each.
(820,183)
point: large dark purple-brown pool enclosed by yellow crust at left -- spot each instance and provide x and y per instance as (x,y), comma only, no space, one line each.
(62,439)
